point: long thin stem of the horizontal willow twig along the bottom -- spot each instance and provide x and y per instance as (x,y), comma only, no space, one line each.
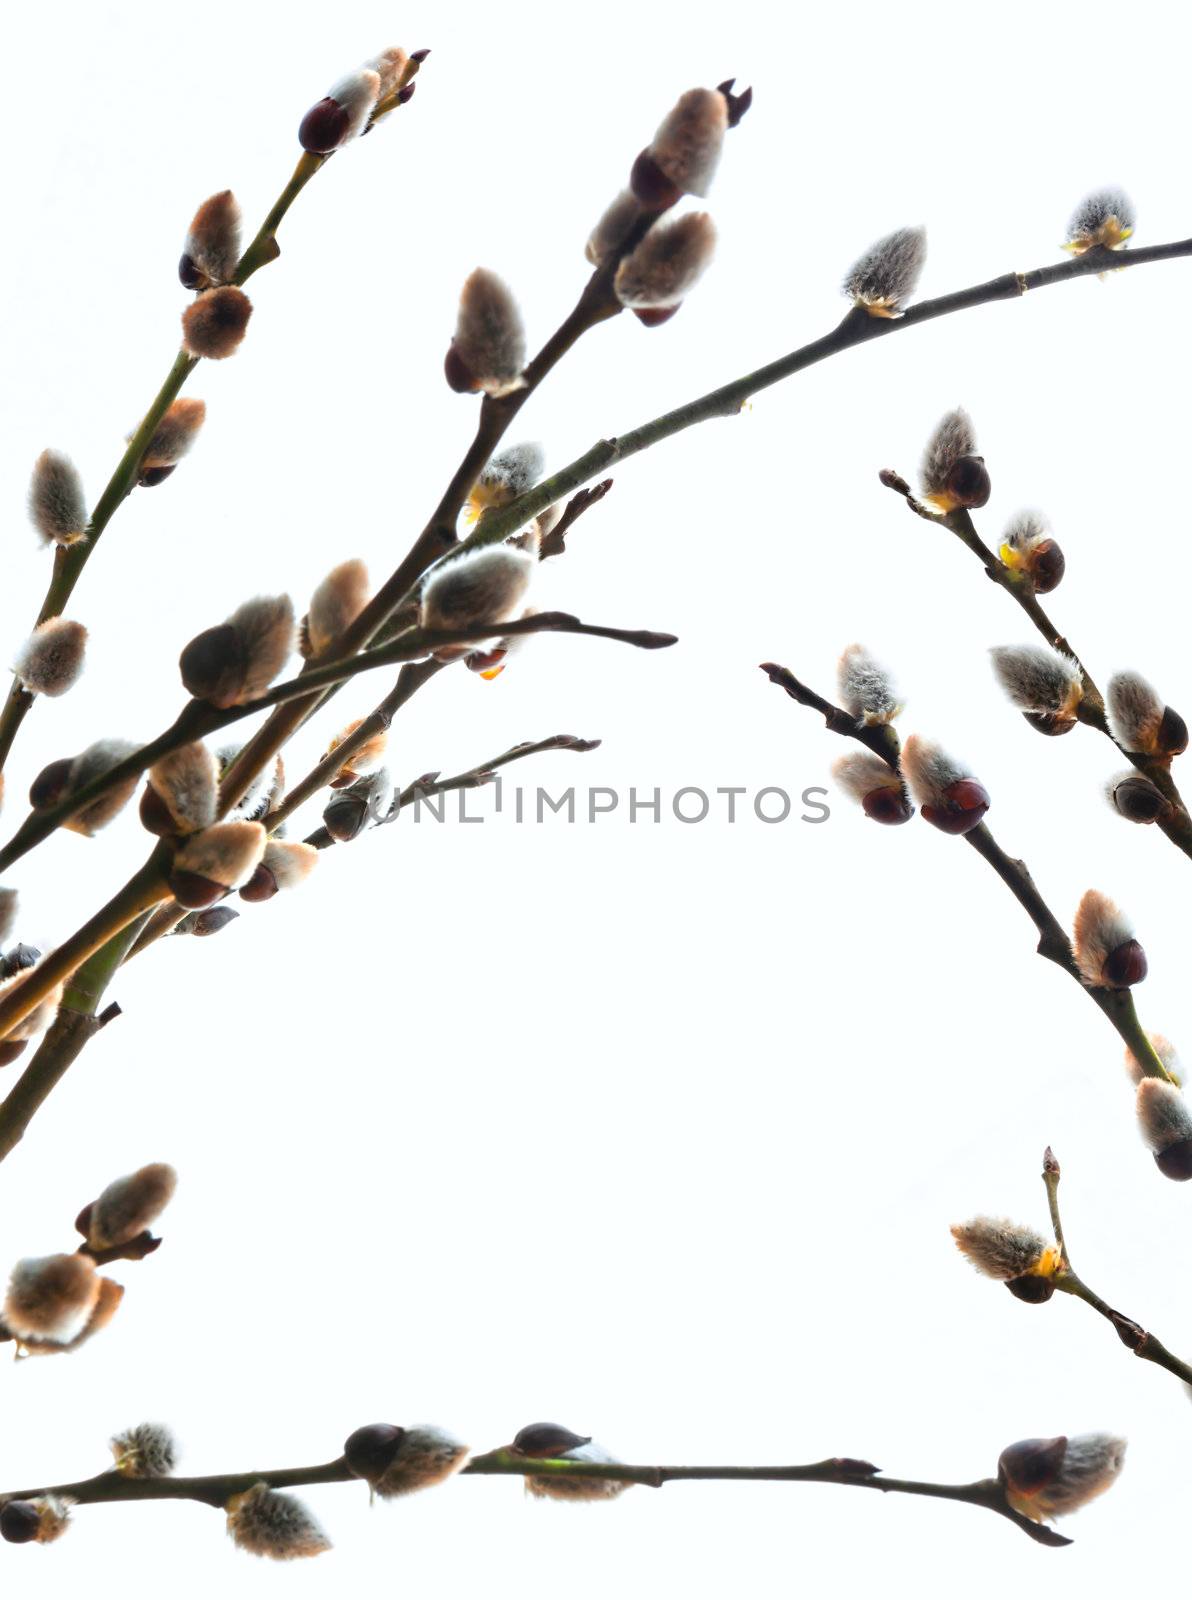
(220,1489)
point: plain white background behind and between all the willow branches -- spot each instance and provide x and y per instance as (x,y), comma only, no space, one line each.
(654,1130)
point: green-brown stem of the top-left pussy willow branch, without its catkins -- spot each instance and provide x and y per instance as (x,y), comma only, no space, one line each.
(70,562)
